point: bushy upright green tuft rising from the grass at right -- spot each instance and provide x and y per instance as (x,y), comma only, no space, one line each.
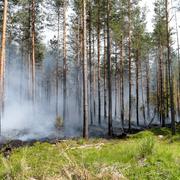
(146,146)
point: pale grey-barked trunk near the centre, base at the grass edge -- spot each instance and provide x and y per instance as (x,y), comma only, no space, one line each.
(85,79)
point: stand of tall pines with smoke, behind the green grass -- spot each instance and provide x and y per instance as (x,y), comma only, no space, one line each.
(101,66)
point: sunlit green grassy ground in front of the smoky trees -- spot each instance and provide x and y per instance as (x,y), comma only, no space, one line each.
(152,154)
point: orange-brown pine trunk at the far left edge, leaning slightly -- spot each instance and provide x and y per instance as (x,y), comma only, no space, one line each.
(2,59)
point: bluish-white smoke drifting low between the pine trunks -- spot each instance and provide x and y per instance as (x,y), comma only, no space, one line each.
(25,120)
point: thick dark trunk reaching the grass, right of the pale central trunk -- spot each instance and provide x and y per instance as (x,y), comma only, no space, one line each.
(110,130)
